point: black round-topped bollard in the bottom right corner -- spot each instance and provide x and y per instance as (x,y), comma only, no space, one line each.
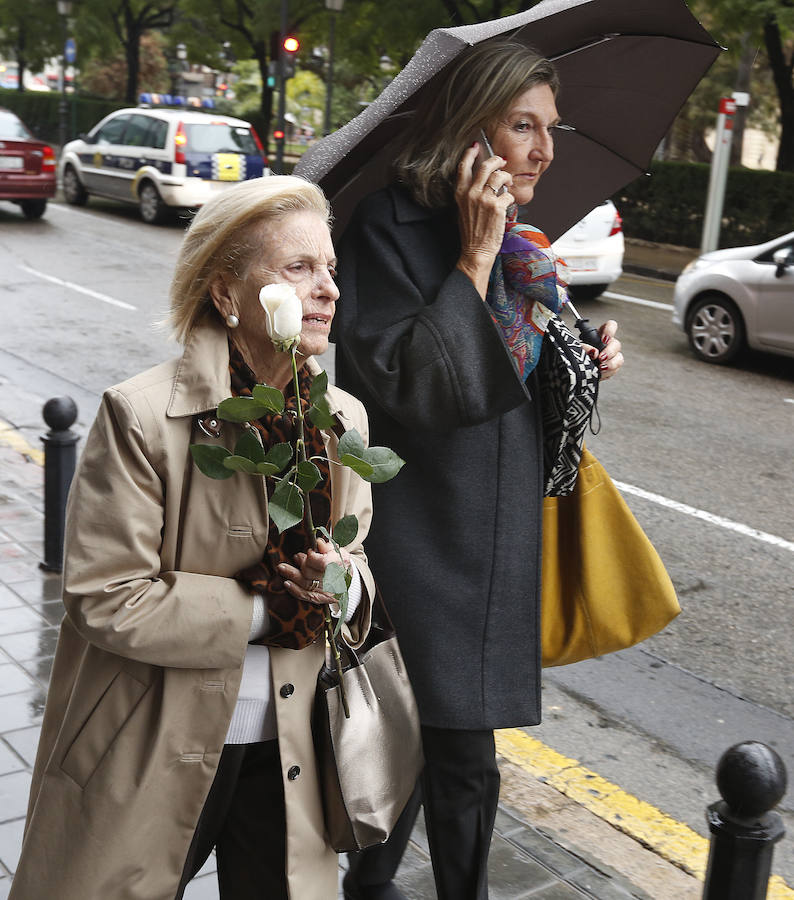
(751,778)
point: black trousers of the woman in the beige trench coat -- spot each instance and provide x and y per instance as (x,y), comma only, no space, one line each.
(244,819)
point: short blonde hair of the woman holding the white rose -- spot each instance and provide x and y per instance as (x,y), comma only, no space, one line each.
(224,236)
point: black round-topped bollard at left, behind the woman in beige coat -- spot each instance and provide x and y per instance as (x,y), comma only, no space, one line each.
(60,413)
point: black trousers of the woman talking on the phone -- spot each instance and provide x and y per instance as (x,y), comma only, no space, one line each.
(460,791)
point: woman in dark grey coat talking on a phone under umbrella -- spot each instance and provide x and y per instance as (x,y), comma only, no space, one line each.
(427,339)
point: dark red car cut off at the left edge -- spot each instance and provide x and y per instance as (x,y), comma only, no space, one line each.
(27,167)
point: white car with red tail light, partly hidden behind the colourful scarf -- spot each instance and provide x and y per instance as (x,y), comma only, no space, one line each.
(593,251)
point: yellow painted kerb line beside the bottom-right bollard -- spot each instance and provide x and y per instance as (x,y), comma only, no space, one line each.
(671,839)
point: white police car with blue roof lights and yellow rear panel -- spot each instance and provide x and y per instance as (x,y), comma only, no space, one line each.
(160,159)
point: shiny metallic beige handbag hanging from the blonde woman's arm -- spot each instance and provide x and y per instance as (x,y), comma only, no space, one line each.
(369,763)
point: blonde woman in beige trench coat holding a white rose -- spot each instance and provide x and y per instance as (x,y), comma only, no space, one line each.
(178,717)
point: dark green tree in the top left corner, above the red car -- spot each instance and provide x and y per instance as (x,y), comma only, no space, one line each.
(30,33)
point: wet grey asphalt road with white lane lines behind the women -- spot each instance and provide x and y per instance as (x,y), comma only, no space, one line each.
(80,290)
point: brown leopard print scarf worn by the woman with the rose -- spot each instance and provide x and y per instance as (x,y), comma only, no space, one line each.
(295,623)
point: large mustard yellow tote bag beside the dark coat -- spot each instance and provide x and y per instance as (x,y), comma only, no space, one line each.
(604,586)
